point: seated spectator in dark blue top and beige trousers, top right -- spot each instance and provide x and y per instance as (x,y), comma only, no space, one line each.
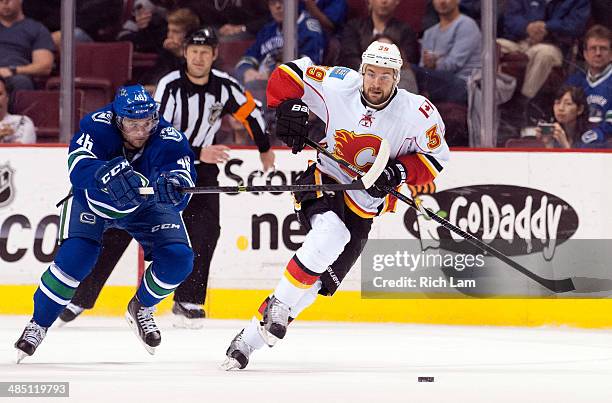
(544,31)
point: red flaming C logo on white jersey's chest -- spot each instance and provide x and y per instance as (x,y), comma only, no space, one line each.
(359,150)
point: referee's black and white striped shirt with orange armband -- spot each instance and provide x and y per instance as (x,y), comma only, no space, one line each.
(196,110)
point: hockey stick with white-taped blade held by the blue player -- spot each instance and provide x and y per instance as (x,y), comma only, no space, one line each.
(364,182)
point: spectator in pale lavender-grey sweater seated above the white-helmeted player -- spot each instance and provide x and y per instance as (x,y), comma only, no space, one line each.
(450,52)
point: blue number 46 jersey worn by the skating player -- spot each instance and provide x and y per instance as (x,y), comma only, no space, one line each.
(99,140)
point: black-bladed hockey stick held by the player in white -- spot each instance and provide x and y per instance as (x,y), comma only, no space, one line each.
(557,286)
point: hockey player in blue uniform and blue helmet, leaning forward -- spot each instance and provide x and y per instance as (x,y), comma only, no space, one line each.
(117,150)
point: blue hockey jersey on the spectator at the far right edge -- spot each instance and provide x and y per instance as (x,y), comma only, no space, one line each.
(599,98)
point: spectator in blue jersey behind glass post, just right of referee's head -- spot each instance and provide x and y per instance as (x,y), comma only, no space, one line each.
(261,58)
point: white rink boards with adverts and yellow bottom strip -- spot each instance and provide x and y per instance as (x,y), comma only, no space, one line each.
(260,234)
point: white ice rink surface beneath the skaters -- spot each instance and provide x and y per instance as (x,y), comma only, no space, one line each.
(318,362)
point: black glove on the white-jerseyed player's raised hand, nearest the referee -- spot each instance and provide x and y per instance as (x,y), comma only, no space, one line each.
(292,124)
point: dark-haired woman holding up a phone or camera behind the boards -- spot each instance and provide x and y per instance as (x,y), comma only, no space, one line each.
(571,124)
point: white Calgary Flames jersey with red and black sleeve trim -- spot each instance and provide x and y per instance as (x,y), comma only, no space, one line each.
(410,123)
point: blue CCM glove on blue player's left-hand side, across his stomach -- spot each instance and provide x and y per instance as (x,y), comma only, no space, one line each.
(118,179)
